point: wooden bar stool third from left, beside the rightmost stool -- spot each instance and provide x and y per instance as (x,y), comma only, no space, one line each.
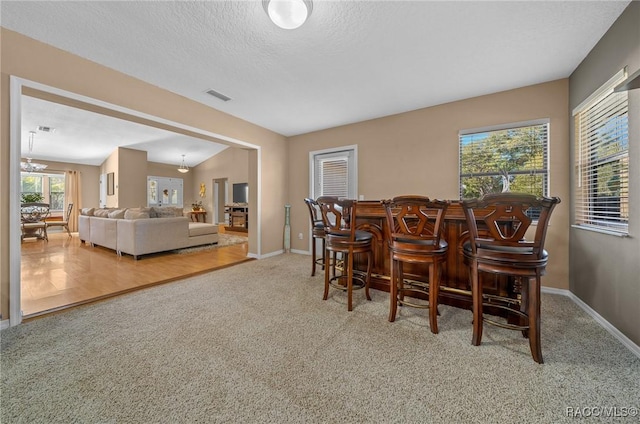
(414,230)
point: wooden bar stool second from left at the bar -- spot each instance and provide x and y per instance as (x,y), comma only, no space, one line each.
(339,218)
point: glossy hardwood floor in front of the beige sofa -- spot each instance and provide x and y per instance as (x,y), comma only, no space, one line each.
(63,272)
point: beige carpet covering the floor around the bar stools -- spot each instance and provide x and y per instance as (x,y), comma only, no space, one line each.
(255,343)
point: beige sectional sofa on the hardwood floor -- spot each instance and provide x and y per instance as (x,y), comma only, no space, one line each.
(135,232)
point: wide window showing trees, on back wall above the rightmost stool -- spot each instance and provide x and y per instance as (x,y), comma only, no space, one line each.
(507,158)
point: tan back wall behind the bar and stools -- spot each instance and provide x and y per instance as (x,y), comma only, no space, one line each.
(417,153)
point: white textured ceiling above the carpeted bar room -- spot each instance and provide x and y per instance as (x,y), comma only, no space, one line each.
(351,61)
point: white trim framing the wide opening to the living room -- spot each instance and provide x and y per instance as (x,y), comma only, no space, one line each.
(15,123)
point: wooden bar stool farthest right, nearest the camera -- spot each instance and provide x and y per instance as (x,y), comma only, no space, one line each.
(499,247)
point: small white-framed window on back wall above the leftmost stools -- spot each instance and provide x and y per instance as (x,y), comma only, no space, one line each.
(334,173)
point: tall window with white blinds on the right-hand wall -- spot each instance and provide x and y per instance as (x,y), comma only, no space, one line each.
(601,195)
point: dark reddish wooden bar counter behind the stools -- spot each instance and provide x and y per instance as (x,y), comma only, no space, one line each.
(454,289)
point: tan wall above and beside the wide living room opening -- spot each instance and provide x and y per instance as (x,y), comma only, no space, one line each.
(36,61)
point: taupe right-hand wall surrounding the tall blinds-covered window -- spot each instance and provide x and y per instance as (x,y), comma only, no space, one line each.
(605,268)
